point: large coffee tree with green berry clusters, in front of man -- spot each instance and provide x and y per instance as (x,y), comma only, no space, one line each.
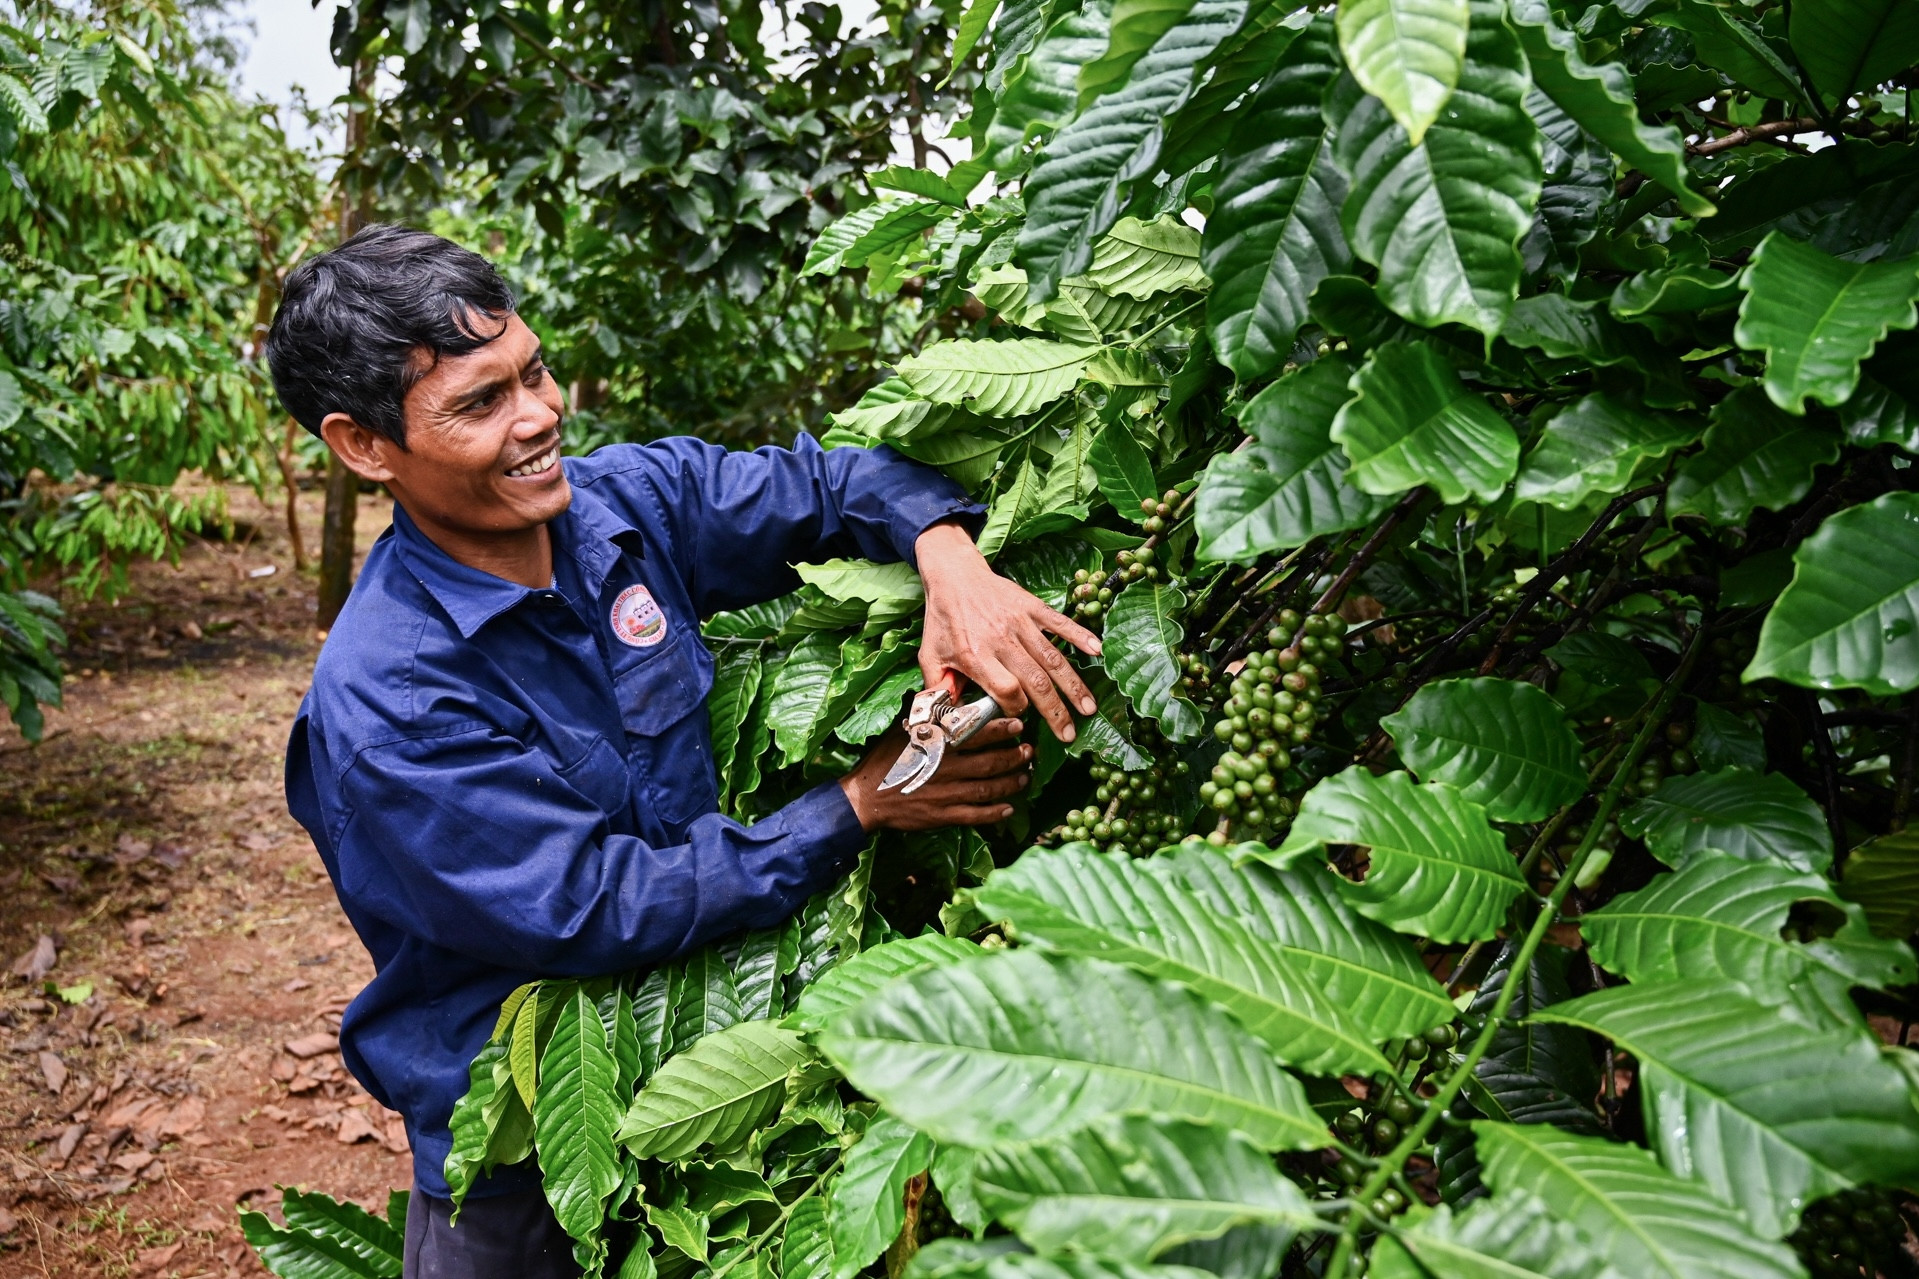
(1482,433)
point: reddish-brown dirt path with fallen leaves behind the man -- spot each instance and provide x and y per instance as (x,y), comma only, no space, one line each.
(147,852)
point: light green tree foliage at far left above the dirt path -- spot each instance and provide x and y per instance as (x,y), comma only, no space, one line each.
(145,220)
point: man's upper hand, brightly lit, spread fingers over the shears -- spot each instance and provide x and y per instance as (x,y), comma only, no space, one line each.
(993,633)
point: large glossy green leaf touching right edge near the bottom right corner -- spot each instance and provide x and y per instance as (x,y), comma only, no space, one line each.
(1768,1113)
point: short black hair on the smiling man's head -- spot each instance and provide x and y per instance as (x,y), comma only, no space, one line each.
(366,322)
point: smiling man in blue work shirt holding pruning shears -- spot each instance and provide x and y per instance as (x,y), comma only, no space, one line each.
(504,758)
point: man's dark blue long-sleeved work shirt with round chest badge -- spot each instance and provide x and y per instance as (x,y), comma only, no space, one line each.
(511,784)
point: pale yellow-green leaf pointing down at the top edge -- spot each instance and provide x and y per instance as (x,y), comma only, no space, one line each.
(1410,55)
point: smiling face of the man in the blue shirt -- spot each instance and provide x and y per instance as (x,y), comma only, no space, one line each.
(485,441)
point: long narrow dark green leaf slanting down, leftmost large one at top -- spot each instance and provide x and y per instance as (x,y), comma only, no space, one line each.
(1081,185)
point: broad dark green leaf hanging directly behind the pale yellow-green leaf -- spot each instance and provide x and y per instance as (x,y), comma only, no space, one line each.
(1442,220)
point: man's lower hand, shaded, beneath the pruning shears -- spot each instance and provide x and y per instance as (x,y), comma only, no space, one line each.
(968,790)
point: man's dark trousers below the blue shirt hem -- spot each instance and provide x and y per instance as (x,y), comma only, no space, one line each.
(500,1238)
